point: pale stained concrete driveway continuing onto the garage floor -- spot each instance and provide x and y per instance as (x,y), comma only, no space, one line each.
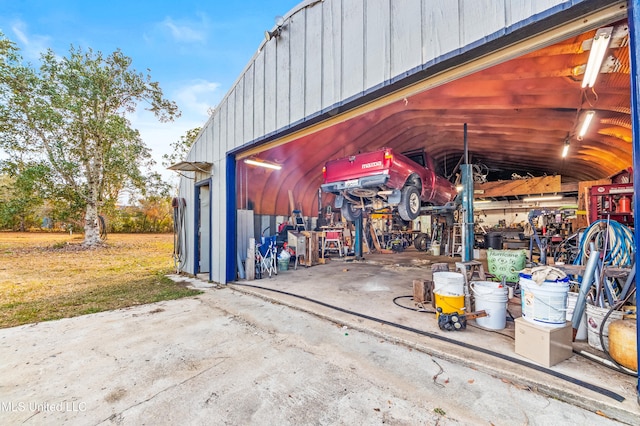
(242,355)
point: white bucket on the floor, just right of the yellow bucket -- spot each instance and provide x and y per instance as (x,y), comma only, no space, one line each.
(491,297)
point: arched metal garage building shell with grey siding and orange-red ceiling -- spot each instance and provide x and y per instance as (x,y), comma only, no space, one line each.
(338,76)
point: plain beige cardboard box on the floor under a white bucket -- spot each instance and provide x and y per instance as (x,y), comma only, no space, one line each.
(545,345)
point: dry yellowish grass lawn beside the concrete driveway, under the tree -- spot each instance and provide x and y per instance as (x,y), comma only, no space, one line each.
(47,276)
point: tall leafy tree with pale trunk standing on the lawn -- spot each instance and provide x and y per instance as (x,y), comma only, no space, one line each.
(71,114)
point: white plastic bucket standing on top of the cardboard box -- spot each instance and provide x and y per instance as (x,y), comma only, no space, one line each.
(544,304)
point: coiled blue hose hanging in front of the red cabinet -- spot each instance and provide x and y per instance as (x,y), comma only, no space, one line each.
(619,240)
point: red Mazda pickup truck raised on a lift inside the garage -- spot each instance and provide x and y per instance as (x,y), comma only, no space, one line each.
(385,178)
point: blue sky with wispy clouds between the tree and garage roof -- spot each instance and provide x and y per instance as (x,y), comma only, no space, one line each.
(194,49)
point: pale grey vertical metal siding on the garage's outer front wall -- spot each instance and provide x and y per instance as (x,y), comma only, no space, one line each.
(335,50)
